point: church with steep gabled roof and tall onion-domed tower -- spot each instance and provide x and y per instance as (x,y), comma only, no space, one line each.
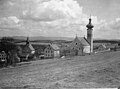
(82,45)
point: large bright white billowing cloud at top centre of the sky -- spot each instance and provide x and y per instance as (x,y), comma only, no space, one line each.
(53,10)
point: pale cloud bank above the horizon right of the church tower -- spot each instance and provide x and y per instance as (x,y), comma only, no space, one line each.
(108,30)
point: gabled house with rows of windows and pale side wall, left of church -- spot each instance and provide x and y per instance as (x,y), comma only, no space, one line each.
(52,51)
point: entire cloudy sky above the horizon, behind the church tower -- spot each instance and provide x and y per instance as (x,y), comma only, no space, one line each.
(60,18)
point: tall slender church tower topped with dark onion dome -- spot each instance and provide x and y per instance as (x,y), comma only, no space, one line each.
(90,34)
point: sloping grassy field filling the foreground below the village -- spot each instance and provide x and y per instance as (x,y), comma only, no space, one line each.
(91,71)
